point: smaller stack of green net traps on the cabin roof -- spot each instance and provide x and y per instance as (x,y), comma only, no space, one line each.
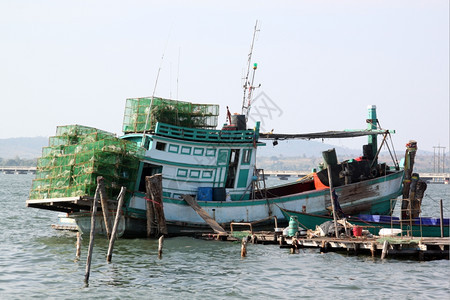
(142,114)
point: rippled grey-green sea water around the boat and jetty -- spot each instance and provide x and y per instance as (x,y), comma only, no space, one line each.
(38,262)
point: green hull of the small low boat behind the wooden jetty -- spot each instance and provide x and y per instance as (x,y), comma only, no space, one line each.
(310,221)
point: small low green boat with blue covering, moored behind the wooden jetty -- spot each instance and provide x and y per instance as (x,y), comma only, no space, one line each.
(417,227)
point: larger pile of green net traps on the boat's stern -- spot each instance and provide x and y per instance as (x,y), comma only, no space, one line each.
(78,154)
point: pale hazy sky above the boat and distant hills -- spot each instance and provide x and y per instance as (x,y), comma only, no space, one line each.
(320,63)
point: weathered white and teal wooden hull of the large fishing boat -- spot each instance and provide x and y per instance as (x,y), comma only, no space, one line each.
(371,197)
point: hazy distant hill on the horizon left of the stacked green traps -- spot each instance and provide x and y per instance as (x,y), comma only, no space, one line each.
(24,147)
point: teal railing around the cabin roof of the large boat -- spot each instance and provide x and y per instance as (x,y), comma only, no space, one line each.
(207,135)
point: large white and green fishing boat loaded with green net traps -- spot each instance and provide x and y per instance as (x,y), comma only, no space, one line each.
(217,167)
